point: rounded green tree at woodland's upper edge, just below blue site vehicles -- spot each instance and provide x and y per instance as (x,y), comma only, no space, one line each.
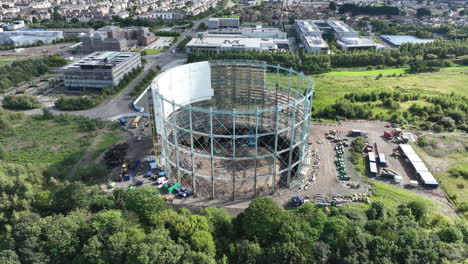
(145,202)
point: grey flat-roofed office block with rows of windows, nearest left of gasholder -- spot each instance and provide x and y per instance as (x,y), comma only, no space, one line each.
(100,70)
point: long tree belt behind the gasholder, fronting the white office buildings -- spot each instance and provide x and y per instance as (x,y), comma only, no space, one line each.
(437,52)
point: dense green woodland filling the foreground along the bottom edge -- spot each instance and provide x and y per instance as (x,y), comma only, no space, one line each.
(76,224)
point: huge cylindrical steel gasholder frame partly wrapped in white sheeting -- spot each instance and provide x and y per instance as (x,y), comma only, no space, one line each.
(232,129)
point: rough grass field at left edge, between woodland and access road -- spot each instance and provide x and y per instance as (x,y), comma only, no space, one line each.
(55,142)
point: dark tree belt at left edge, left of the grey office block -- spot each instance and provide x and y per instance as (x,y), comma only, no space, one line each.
(19,71)
